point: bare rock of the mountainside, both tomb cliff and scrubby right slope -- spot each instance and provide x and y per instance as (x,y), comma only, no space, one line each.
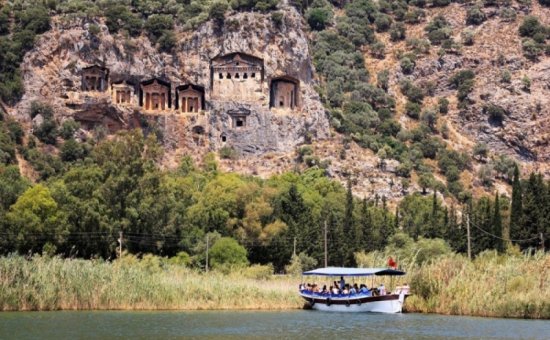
(273,140)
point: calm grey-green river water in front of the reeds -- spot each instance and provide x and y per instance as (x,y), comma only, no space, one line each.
(261,324)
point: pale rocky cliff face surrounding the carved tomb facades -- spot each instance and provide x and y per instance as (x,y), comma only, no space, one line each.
(52,74)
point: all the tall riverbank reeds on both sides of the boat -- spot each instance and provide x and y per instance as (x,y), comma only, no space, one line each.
(516,286)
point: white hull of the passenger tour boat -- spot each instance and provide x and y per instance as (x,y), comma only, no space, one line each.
(377,304)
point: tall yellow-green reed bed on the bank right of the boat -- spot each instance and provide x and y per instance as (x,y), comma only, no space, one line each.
(515,286)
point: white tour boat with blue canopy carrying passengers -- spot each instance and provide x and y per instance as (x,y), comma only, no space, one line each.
(363,301)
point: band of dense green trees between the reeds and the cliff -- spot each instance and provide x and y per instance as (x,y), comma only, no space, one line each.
(94,190)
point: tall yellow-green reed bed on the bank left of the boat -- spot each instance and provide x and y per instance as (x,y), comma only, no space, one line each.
(66,284)
